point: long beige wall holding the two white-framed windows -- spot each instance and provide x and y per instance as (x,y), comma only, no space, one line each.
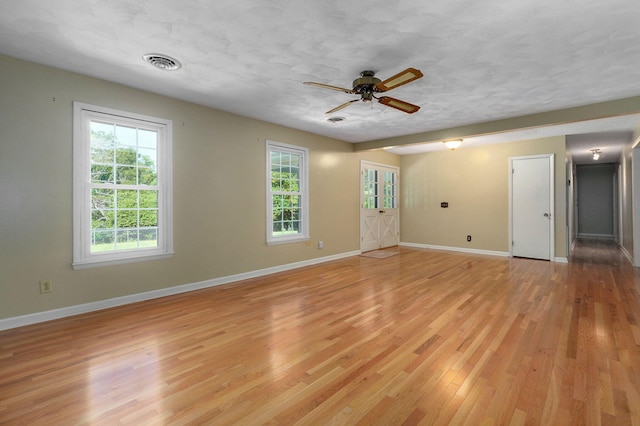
(219,193)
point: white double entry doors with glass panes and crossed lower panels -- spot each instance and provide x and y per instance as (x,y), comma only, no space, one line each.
(379,206)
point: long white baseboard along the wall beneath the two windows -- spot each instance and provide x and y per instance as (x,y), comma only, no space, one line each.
(38,317)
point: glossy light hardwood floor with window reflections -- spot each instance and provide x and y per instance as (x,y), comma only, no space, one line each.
(423,337)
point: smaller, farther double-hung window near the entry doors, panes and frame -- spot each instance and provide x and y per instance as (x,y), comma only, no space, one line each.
(287,193)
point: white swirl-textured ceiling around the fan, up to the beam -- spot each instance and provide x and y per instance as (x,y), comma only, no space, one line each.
(482,60)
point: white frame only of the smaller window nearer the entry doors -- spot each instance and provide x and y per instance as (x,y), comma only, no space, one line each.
(303,235)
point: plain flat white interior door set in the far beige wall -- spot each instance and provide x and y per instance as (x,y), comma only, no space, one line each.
(532,229)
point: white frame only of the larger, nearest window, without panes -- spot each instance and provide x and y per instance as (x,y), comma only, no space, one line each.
(82,256)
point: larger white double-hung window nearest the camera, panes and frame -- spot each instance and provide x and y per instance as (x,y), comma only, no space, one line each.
(122,187)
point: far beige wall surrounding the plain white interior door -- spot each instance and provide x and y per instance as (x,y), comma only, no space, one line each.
(475,183)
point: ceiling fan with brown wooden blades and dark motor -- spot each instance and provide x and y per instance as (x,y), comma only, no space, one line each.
(367,85)
